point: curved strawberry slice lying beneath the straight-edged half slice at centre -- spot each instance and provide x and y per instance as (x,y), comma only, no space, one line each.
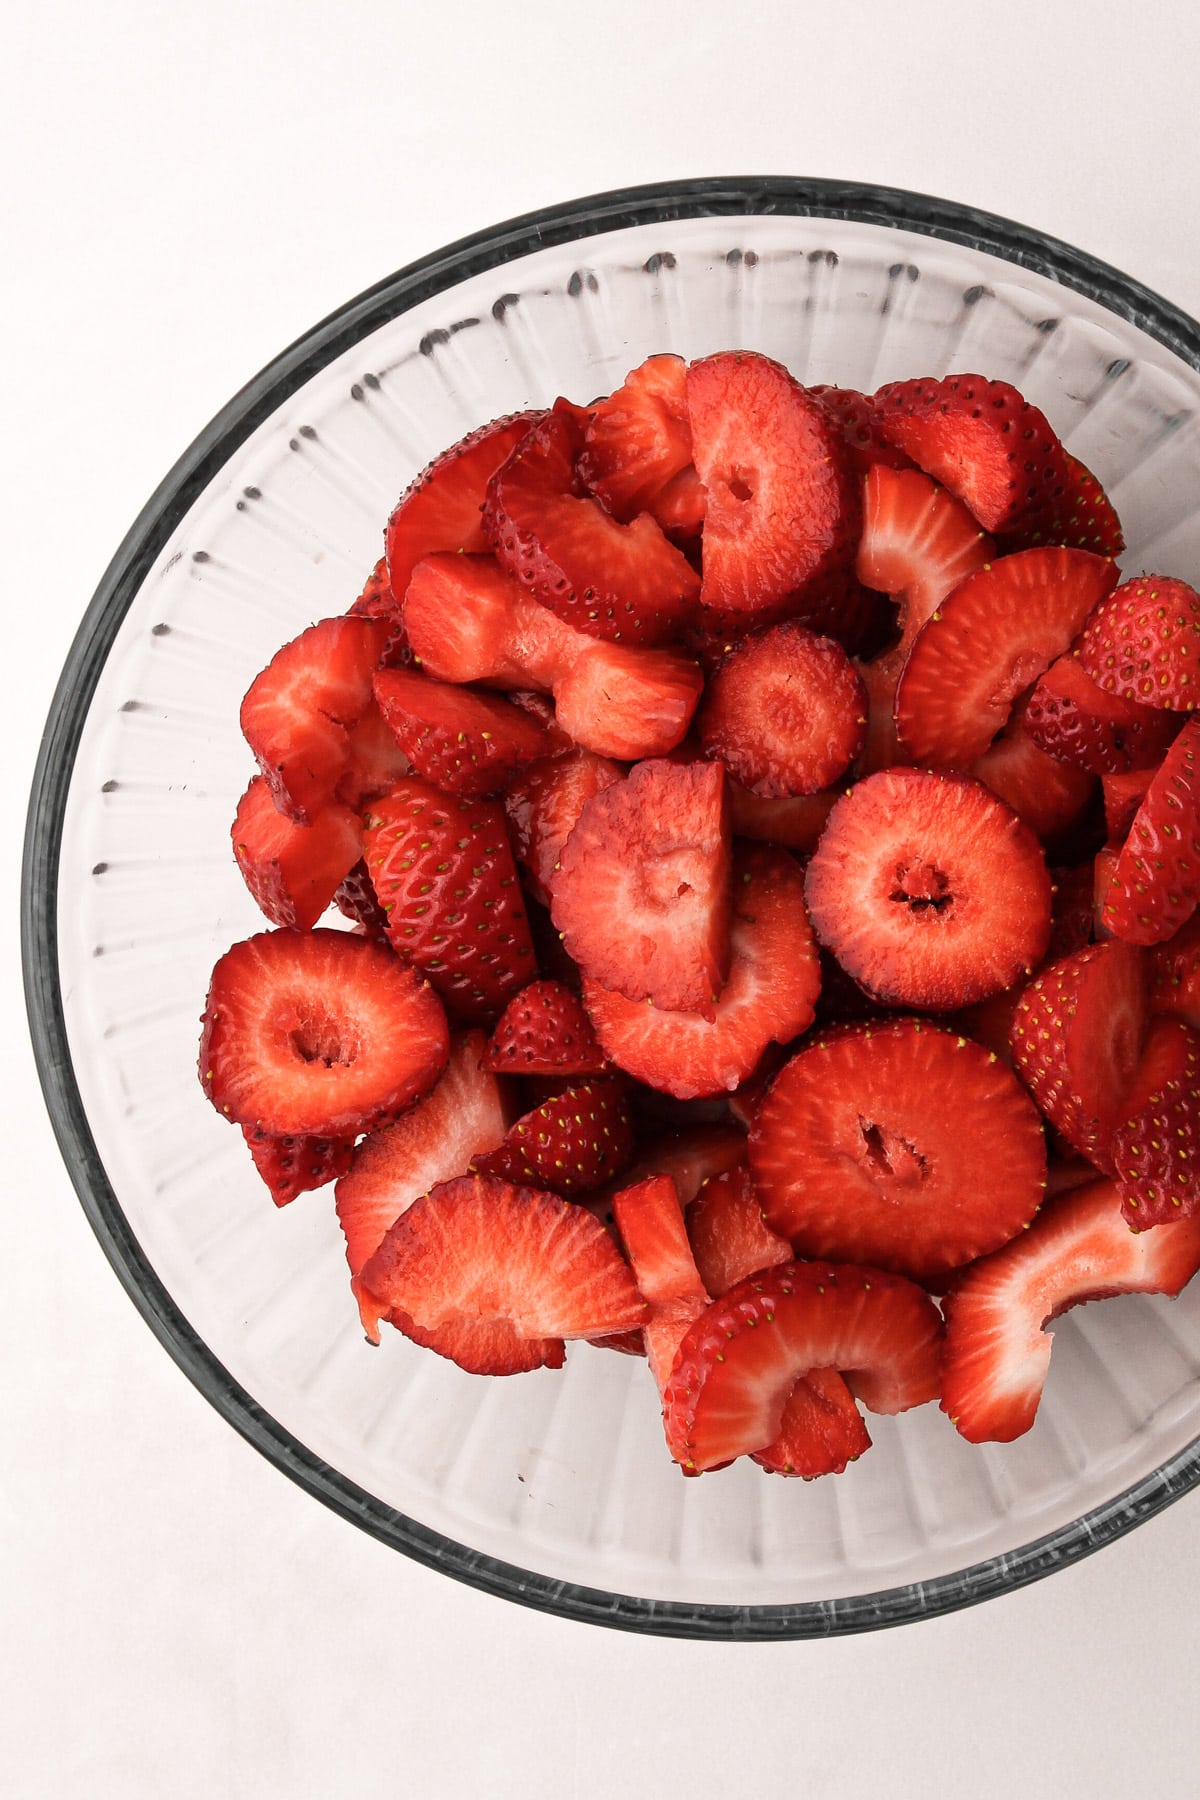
(769,996)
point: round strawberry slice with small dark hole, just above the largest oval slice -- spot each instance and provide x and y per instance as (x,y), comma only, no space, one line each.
(929,890)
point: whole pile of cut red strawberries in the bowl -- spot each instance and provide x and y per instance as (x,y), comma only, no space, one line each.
(771,836)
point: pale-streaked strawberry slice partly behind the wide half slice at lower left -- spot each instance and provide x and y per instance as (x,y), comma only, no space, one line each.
(463,1117)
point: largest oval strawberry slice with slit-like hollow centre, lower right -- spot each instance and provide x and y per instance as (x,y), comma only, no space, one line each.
(900,1146)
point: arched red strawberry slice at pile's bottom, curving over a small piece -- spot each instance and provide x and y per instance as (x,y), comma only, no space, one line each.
(742,1358)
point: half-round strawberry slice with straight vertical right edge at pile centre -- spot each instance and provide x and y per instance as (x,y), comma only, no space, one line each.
(643,888)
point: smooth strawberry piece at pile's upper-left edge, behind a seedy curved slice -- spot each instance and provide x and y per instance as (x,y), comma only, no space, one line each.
(443,507)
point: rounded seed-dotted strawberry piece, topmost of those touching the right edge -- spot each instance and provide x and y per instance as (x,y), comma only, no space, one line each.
(1145,643)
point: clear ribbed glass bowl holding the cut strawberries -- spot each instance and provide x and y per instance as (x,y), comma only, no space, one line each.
(553,1488)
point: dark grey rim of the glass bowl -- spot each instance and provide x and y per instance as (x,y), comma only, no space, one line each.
(577,220)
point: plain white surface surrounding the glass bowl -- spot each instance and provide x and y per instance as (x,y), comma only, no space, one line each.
(186,188)
